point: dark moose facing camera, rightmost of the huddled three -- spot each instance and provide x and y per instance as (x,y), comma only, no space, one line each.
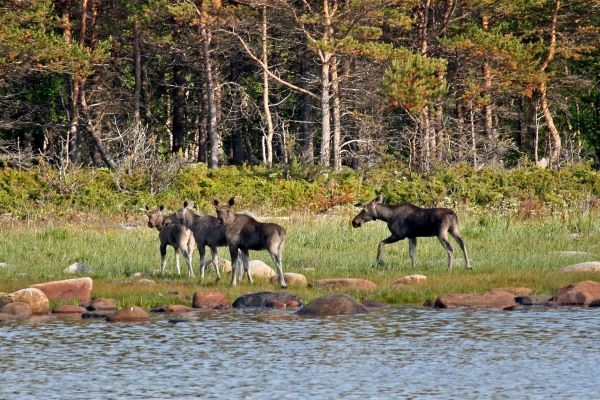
(244,233)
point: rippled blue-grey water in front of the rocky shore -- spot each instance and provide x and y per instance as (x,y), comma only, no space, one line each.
(392,353)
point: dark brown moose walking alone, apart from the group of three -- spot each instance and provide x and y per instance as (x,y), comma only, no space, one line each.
(409,221)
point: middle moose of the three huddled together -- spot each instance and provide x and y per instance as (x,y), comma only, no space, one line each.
(207,231)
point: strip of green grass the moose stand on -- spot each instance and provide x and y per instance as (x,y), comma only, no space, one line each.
(504,252)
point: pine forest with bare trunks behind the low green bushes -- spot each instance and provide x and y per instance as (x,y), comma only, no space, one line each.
(129,85)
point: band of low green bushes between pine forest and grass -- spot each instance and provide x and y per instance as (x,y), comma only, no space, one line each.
(42,190)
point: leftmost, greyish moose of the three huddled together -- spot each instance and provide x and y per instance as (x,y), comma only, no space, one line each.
(171,233)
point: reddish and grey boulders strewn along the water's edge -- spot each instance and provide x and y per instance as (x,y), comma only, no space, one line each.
(74,297)
